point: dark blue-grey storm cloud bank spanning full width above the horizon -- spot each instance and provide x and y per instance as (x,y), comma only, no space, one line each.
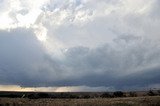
(23,61)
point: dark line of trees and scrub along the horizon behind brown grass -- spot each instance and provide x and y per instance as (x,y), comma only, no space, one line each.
(36,95)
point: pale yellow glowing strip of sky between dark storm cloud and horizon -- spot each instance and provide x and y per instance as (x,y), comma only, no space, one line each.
(54,89)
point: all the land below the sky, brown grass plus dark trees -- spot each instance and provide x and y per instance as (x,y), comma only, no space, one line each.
(149,98)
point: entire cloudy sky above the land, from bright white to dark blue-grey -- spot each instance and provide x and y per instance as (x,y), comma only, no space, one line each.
(79,45)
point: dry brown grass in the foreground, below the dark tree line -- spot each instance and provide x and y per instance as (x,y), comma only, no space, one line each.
(123,101)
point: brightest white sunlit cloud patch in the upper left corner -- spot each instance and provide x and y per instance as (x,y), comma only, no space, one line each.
(17,13)
